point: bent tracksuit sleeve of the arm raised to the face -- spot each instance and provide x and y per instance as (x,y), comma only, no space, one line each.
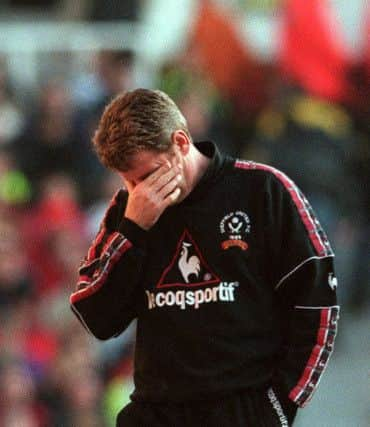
(106,295)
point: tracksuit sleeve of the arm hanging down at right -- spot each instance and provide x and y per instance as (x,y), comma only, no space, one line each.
(304,281)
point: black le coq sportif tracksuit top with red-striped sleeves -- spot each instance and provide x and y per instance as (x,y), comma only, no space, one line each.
(232,288)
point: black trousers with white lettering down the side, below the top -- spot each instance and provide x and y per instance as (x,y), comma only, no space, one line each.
(251,408)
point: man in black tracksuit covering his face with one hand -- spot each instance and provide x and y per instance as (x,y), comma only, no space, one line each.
(225,267)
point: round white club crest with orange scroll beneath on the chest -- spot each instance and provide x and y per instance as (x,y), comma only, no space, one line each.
(235,226)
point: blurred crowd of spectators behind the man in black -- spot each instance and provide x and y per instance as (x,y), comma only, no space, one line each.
(53,193)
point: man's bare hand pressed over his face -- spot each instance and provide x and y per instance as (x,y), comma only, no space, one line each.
(148,199)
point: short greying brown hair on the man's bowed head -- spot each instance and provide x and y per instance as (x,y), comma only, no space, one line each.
(136,121)
